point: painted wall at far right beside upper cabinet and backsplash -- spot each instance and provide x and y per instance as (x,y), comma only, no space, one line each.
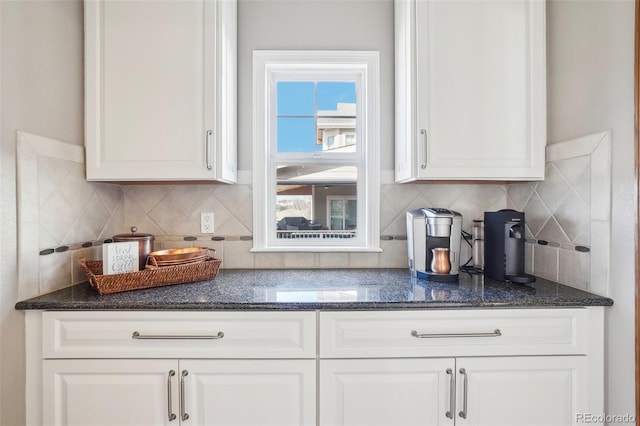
(590,88)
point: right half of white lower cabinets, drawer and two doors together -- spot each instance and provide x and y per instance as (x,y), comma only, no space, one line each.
(492,367)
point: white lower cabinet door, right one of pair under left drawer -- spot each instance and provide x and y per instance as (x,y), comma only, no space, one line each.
(249,392)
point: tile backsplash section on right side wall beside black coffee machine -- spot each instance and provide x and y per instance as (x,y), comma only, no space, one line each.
(568,214)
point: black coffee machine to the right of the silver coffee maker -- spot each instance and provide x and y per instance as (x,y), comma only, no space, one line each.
(504,238)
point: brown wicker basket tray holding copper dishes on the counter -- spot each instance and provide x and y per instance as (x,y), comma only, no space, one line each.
(153,277)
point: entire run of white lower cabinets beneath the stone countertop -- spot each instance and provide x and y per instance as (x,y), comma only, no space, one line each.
(480,367)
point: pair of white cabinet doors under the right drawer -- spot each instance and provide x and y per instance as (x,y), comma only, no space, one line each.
(510,391)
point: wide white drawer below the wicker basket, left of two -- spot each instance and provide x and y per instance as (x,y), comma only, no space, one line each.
(166,334)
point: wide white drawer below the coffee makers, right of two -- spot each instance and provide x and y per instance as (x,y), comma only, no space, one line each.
(472,332)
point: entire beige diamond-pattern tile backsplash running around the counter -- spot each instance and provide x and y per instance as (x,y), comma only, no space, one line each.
(62,217)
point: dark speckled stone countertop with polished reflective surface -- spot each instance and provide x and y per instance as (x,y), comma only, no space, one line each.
(333,289)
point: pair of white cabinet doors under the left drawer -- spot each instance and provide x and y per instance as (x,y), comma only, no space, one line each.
(168,392)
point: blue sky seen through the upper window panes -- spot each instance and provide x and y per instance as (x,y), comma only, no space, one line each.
(297,105)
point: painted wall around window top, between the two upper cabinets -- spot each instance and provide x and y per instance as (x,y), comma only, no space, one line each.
(313,24)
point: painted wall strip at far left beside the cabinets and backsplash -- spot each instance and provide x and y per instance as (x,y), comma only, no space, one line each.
(41,92)
